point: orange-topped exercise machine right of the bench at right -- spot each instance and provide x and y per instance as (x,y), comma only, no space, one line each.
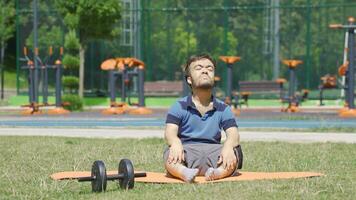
(293,98)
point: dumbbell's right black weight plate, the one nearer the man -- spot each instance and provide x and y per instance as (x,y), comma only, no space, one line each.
(127,173)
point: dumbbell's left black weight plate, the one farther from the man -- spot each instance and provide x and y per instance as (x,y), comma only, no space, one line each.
(98,172)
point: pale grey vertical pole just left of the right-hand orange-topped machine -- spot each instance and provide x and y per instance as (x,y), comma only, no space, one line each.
(276,63)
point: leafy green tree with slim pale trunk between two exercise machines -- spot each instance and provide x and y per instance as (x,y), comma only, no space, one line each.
(91,19)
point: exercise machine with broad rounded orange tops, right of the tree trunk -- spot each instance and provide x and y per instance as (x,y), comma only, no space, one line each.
(126,69)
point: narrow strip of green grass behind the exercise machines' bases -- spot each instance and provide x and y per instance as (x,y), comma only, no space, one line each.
(167,101)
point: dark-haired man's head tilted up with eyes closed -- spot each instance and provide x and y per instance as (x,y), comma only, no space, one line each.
(201,74)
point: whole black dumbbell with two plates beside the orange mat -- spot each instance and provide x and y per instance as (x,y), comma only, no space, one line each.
(99,178)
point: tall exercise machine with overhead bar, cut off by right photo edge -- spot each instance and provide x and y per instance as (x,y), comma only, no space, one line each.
(347,69)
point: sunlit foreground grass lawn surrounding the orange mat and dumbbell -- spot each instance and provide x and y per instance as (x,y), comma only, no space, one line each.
(27,163)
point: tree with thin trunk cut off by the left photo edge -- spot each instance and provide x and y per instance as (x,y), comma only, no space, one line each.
(7,27)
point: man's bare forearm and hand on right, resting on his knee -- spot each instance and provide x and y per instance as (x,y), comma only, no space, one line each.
(227,157)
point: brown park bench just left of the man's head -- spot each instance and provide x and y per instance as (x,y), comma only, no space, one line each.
(163,88)
